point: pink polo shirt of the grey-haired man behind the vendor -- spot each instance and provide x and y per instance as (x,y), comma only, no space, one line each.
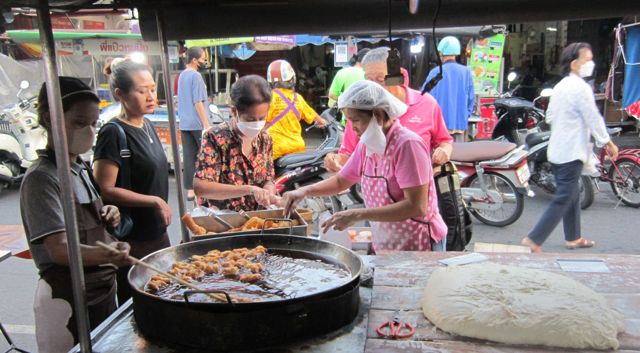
(423,117)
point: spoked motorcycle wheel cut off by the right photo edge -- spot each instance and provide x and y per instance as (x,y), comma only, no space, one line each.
(626,183)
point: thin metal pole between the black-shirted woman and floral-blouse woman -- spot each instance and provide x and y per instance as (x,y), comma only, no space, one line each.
(177,164)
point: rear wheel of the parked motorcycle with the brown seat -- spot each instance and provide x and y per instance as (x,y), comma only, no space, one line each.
(505,215)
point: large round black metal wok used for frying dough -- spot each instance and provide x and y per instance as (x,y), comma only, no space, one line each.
(218,326)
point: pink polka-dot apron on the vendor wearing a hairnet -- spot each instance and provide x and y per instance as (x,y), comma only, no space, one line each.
(412,234)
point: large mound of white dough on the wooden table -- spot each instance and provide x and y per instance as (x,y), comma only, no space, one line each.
(517,305)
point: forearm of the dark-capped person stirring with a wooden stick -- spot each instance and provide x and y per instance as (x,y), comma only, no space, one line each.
(56,245)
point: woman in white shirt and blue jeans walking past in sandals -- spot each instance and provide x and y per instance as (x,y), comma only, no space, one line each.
(574,119)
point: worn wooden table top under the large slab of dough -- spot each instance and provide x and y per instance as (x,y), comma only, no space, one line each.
(400,278)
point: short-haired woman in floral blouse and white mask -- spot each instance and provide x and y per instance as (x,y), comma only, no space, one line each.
(234,169)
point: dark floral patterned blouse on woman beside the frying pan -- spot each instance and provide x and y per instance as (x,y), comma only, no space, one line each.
(221,160)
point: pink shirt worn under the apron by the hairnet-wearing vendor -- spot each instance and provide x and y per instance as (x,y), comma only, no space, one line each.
(410,167)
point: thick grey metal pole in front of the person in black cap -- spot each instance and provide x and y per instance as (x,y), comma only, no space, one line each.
(62,161)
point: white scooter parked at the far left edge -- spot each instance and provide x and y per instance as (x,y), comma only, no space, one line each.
(20,137)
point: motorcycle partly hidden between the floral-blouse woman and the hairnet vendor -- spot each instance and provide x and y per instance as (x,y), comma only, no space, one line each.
(299,169)
